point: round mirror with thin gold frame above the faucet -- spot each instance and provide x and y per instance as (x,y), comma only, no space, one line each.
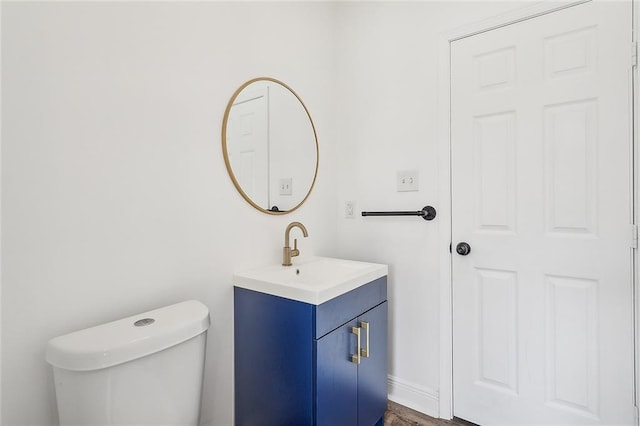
(270,145)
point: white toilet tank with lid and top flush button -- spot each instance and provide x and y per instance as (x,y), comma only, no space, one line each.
(143,370)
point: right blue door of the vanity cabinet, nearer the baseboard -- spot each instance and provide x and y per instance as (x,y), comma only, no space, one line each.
(372,371)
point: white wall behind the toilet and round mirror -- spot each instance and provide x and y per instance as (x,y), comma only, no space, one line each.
(115,198)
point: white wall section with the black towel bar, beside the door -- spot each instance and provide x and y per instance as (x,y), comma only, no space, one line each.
(387,88)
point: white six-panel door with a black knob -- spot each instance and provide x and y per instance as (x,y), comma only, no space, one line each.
(541,195)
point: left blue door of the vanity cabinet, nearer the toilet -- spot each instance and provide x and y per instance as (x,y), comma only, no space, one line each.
(337,378)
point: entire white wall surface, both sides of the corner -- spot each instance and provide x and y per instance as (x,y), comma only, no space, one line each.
(115,198)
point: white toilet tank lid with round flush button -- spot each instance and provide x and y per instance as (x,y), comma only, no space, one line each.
(130,338)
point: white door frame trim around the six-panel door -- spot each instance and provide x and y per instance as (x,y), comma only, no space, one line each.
(445,399)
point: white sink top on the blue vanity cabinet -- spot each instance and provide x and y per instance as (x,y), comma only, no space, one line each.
(313,280)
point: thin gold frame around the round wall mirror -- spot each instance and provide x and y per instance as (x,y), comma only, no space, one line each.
(225,150)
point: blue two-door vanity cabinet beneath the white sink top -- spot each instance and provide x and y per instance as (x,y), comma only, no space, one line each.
(293,360)
